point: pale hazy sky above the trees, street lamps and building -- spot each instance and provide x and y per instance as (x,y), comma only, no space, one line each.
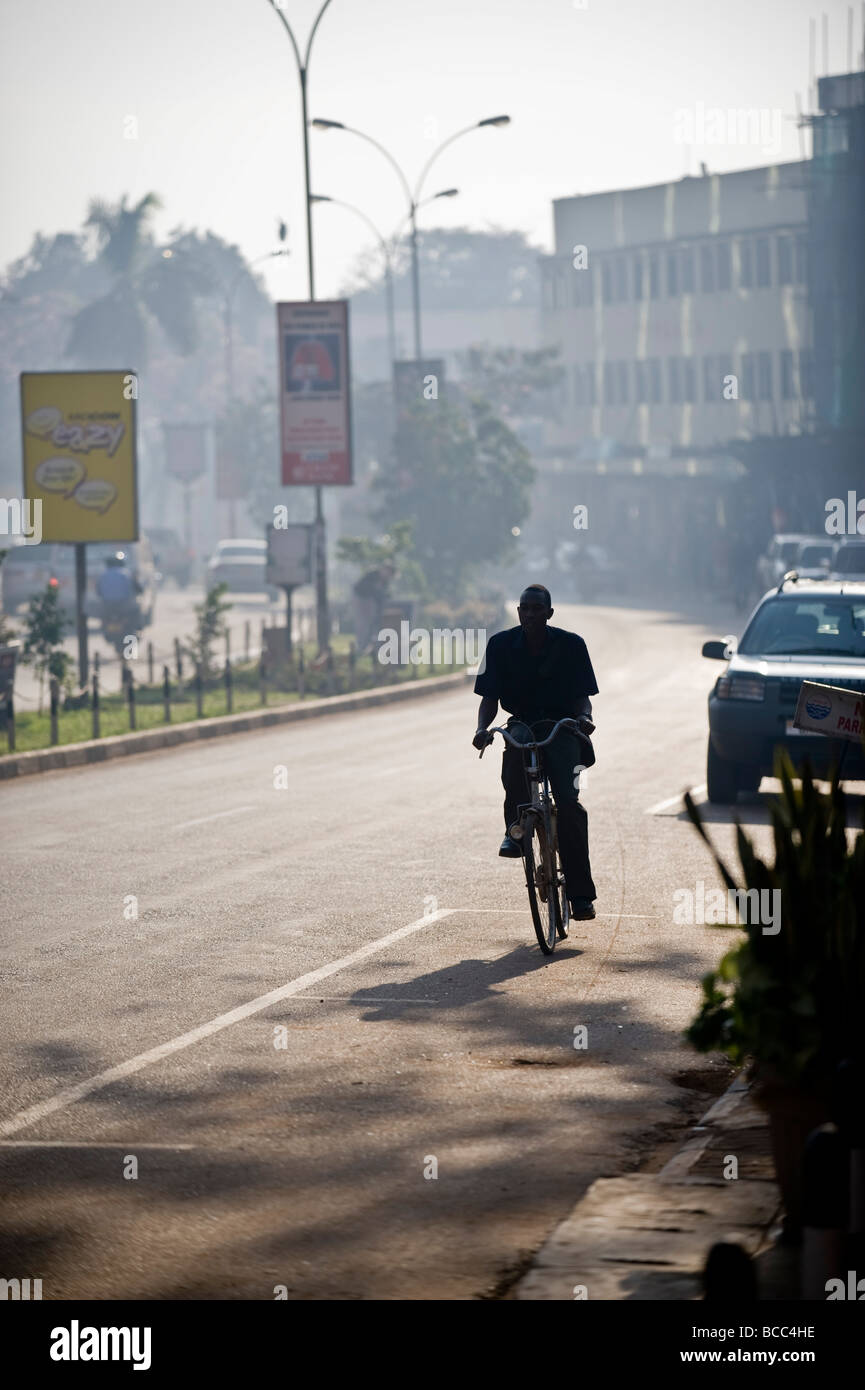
(596,91)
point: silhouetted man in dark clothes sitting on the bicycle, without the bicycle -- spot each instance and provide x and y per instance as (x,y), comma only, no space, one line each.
(542,675)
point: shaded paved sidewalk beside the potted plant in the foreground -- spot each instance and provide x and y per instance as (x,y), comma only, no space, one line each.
(646,1236)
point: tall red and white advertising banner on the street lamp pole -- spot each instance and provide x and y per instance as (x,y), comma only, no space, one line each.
(315,393)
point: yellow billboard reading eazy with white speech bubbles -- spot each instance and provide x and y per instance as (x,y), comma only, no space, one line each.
(80,459)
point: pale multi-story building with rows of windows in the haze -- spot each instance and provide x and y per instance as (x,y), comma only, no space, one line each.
(684,322)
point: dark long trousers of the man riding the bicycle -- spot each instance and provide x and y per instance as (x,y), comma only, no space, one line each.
(564,755)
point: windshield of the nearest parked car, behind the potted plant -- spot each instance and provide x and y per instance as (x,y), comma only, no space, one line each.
(834,626)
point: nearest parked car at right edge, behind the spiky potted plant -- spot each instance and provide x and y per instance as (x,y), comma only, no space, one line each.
(809,632)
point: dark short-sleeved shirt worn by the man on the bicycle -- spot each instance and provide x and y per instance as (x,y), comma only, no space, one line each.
(547,686)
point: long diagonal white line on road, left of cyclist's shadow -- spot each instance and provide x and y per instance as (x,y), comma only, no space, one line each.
(225,1021)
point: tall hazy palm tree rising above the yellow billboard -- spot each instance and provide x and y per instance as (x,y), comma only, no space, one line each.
(145,284)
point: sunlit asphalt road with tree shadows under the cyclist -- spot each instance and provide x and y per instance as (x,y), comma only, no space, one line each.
(332,992)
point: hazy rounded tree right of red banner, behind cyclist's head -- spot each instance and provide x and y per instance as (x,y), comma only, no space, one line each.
(462,477)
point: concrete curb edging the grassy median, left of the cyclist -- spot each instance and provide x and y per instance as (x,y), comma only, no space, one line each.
(169,736)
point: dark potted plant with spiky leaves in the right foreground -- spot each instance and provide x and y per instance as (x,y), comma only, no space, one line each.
(791,1000)
